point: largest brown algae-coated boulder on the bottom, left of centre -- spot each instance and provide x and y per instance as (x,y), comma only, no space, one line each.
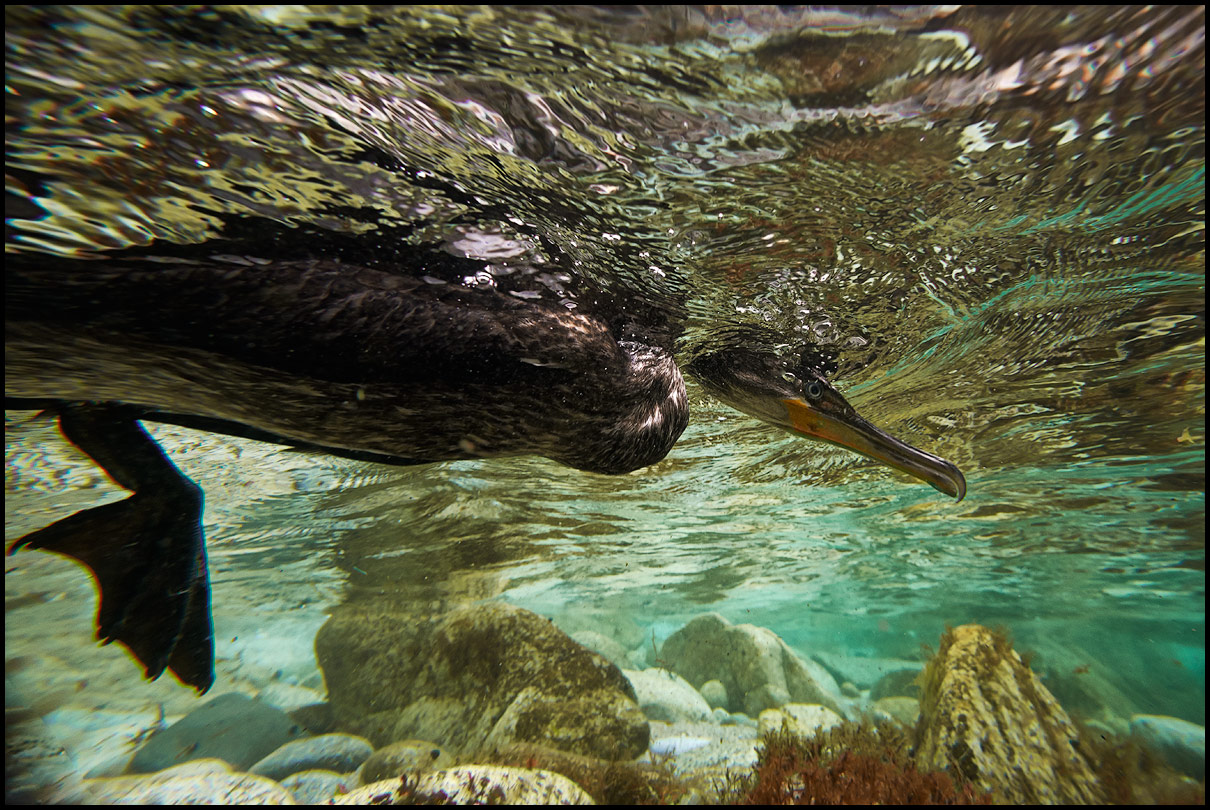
(479,677)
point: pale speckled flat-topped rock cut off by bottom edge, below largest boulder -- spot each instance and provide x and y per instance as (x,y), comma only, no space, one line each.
(473,785)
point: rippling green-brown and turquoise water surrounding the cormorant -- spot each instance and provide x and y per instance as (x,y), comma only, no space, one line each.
(995,217)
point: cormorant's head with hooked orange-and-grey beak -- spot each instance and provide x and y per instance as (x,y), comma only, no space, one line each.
(741,369)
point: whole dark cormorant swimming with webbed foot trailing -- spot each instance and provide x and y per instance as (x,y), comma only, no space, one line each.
(350,360)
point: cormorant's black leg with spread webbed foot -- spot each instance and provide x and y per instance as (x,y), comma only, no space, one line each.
(147,553)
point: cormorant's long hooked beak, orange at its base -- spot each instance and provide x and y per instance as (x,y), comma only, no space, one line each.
(852,433)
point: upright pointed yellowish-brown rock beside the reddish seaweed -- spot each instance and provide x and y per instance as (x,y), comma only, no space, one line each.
(984,713)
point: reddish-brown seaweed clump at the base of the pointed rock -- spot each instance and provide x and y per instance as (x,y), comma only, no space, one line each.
(852,763)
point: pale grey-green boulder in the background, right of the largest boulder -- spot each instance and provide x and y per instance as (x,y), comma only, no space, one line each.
(757,669)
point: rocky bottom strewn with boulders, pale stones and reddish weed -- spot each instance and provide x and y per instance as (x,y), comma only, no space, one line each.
(493,703)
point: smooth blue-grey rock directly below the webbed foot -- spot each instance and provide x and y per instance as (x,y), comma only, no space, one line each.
(233,728)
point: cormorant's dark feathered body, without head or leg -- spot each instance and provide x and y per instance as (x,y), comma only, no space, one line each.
(348,359)
